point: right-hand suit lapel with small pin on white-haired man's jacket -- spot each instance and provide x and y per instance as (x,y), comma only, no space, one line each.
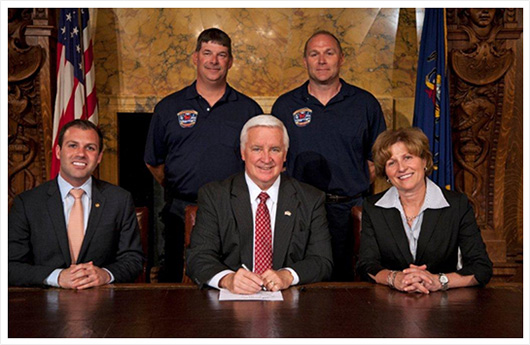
(285,216)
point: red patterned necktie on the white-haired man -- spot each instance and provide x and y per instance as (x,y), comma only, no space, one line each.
(263,236)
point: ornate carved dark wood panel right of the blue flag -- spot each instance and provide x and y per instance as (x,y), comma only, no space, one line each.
(482,51)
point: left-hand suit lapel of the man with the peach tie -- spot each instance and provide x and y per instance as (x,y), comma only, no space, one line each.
(56,212)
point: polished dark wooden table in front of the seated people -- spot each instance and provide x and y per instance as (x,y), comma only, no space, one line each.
(330,310)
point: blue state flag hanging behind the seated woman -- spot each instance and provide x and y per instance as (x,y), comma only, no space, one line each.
(431,107)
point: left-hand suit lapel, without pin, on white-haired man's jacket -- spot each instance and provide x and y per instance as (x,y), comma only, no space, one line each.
(240,204)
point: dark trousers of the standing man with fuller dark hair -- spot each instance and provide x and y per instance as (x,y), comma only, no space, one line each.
(172,262)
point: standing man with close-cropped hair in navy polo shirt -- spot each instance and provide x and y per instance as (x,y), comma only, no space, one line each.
(332,126)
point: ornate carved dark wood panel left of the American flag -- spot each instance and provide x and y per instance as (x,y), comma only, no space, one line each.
(29,98)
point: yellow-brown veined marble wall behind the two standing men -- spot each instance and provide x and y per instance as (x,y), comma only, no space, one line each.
(142,55)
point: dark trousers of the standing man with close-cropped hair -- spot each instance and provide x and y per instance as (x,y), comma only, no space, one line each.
(340,225)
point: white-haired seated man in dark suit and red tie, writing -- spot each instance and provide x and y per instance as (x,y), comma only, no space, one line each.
(260,229)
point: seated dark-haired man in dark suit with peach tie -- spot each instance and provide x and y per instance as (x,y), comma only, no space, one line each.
(75,231)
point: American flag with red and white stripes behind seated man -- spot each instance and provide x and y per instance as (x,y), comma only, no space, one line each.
(76,93)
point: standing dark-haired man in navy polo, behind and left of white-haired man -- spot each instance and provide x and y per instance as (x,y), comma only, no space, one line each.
(194,139)
